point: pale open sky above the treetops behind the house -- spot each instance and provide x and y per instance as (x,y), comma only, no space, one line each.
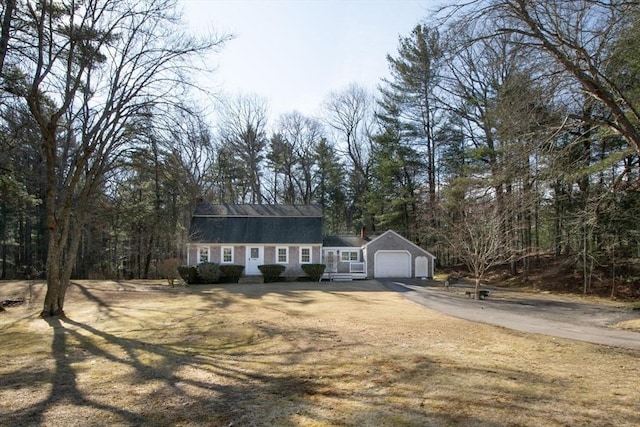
(295,52)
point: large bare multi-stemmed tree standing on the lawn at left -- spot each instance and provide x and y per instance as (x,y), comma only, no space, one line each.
(92,74)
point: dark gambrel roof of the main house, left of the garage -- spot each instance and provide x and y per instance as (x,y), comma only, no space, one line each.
(256,224)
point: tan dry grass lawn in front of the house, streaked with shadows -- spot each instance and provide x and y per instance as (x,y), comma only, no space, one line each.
(285,354)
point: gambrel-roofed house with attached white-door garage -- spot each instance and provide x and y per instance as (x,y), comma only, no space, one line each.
(252,235)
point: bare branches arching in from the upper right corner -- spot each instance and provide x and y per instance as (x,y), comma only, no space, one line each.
(576,36)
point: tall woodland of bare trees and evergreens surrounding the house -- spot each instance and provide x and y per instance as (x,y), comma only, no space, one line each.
(507,130)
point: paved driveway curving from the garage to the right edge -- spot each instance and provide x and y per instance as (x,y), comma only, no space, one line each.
(577,321)
